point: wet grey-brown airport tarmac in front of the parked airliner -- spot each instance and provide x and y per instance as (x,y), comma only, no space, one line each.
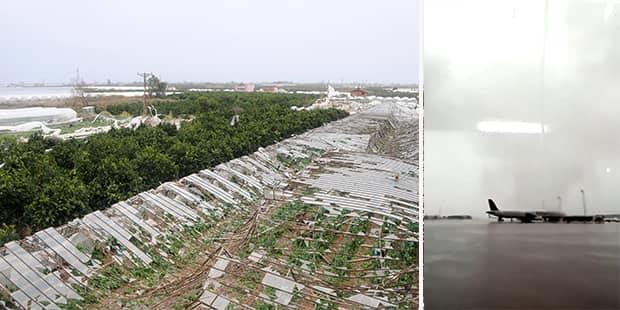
(481,264)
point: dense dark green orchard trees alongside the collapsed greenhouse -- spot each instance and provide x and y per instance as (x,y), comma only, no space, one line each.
(48,182)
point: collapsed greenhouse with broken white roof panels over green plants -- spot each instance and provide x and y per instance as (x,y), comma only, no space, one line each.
(326,219)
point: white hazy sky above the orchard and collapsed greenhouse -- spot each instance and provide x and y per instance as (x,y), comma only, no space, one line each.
(225,40)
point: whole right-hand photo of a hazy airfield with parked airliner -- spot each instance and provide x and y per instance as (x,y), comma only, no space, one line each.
(521,105)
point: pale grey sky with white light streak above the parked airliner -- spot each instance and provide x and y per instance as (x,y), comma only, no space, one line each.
(526,100)
